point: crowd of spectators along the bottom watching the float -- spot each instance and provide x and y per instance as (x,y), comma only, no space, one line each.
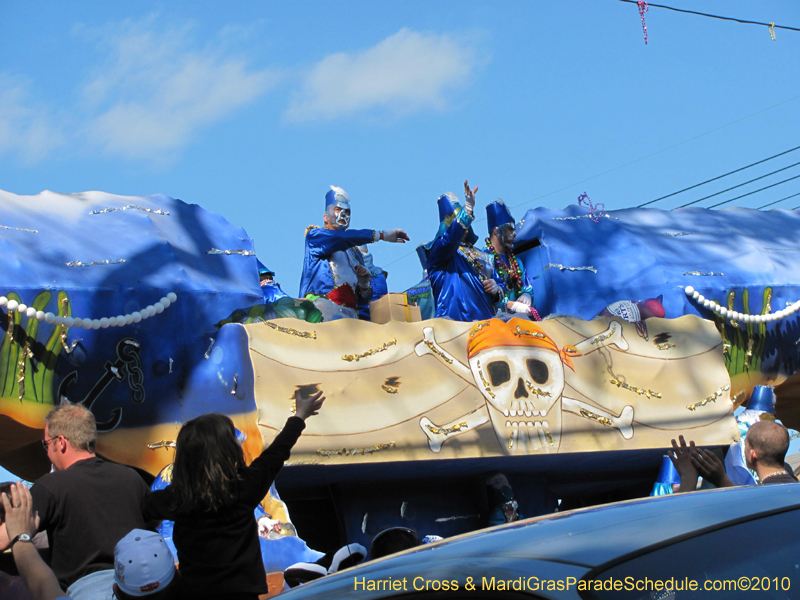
(99,517)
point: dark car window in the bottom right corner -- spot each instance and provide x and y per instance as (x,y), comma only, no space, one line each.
(755,559)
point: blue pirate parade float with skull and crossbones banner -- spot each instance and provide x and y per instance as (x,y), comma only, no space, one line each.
(148,310)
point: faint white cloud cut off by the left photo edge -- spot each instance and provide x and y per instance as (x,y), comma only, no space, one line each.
(27,129)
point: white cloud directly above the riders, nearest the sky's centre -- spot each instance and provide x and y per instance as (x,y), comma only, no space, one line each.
(405,73)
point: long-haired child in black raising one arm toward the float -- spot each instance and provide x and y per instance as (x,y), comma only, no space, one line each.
(212,498)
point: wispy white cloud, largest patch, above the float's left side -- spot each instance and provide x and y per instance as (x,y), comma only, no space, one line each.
(157,89)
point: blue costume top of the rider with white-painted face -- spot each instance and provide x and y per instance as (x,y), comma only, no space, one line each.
(323,270)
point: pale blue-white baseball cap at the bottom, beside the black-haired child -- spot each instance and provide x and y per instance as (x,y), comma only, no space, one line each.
(143,563)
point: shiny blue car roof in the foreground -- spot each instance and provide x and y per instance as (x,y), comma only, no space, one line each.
(587,537)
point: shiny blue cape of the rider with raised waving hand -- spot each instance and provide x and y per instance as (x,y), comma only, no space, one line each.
(457,286)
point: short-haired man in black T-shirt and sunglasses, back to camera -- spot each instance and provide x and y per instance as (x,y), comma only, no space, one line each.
(86,505)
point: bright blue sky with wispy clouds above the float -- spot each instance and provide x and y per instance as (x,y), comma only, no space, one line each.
(252,109)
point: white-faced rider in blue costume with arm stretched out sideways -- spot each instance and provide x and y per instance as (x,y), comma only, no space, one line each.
(334,275)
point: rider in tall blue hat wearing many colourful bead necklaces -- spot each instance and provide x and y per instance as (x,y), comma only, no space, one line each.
(518,296)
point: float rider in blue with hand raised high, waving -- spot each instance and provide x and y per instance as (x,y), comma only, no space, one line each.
(464,282)
